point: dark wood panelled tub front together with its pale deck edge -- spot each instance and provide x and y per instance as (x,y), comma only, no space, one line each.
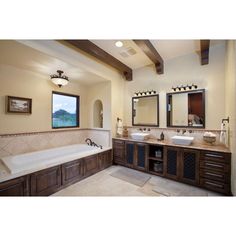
(54,176)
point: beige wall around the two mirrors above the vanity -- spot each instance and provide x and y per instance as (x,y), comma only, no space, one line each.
(181,71)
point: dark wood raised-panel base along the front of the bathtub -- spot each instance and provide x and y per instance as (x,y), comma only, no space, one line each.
(51,180)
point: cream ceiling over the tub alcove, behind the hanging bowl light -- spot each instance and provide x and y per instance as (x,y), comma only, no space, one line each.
(16,54)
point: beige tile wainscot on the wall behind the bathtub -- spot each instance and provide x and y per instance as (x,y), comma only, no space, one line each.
(14,144)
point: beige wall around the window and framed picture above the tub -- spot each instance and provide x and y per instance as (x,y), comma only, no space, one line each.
(22,83)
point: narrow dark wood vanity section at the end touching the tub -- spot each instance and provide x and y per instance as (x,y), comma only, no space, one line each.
(119,151)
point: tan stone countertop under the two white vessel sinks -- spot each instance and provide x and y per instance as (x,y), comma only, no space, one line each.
(199,146)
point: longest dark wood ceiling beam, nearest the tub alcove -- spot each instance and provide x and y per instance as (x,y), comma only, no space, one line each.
(95,51)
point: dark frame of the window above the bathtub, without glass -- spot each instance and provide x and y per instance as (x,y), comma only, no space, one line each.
(77,110)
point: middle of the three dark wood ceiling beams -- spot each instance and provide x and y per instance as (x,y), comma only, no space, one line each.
(152,53)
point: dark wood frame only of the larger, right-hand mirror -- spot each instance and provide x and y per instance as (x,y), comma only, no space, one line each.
(168,113)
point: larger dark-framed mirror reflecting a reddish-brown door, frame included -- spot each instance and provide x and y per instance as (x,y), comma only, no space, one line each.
(186,109)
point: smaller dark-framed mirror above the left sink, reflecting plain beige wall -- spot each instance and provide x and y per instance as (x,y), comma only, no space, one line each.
(145,111)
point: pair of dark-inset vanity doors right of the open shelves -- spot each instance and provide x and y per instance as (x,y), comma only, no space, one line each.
(182,164)
